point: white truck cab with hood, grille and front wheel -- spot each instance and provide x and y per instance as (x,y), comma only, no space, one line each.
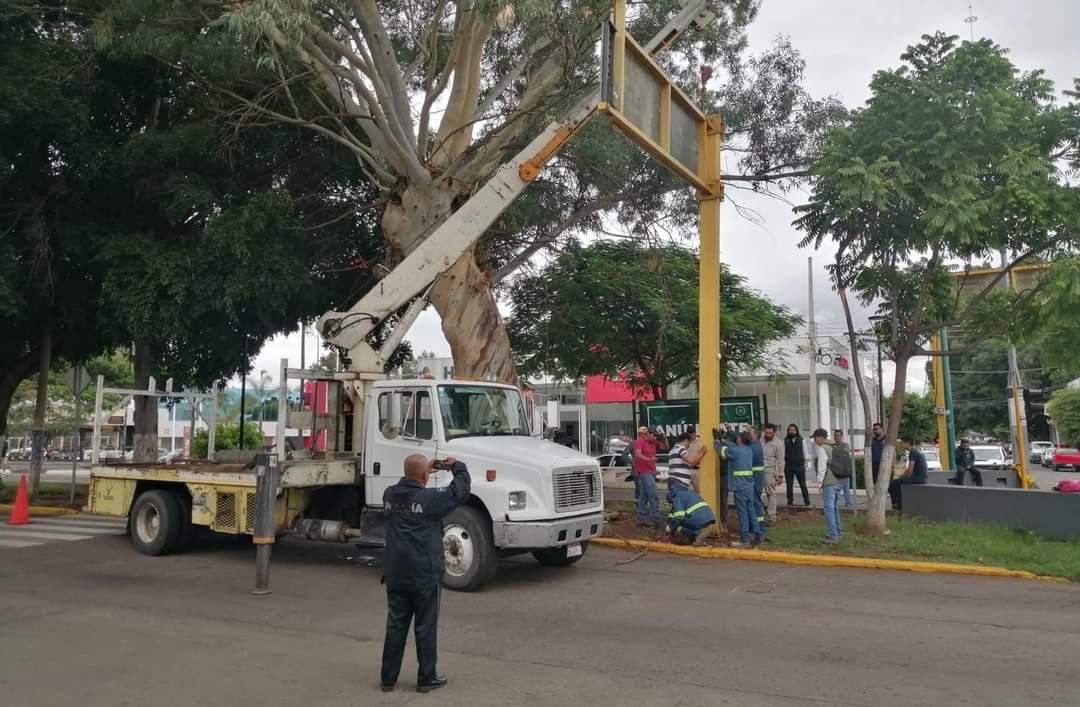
(529,495)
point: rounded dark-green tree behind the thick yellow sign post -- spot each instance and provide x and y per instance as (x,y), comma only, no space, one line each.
(615,307)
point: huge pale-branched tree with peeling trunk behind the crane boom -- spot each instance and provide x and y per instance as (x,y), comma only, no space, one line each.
(433,97)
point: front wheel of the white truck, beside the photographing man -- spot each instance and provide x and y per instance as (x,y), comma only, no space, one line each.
(471,560)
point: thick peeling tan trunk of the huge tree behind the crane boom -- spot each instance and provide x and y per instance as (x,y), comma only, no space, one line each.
(464,296)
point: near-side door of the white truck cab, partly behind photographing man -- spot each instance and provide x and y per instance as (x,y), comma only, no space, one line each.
(389,447)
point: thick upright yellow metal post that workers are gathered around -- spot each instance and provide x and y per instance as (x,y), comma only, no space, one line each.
(709,310)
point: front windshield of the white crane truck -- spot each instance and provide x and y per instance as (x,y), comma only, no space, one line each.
(481,411)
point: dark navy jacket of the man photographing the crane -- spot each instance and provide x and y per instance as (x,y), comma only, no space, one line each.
(414,514)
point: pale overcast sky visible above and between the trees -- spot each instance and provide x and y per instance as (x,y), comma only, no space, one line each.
(844,43)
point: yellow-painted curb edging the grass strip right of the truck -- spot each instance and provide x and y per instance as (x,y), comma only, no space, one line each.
(825,561)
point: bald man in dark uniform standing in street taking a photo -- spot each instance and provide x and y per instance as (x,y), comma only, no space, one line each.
(414,564)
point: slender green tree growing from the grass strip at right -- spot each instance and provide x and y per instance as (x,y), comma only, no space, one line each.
(954,158)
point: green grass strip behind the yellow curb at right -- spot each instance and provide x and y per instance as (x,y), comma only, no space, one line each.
(915,540)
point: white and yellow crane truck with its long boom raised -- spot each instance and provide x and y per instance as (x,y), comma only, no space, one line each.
(529,495)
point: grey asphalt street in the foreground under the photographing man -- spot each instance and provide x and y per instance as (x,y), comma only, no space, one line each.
(94,624)
